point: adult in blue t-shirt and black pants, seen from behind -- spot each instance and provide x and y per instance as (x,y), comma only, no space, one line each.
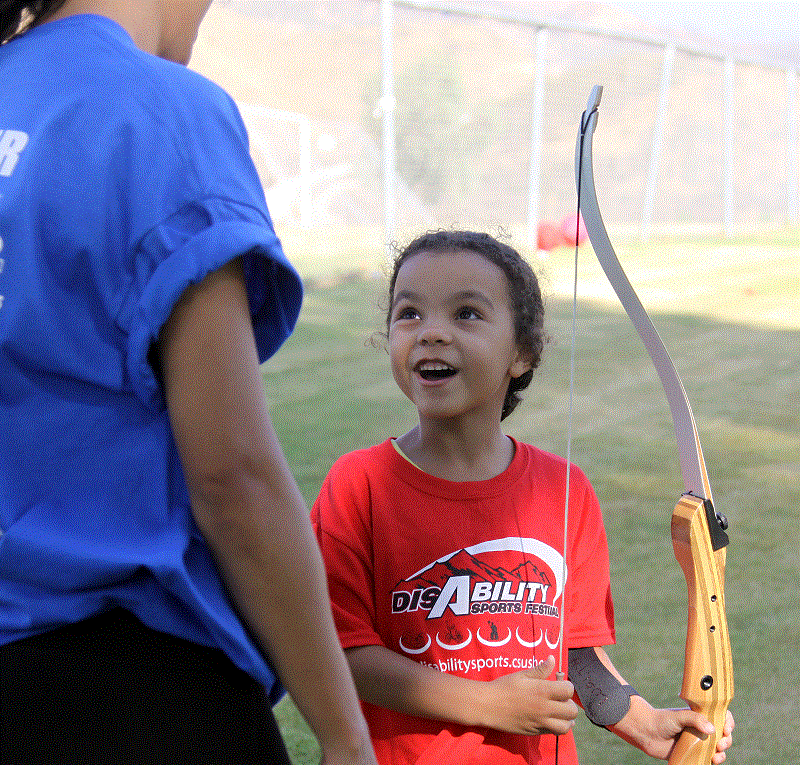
(156,558)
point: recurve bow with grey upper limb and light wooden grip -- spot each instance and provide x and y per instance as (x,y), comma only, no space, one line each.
(698,535)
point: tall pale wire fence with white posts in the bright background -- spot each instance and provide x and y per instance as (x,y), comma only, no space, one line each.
(374,119)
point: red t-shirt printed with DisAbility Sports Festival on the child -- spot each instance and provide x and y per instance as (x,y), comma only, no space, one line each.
(466,578)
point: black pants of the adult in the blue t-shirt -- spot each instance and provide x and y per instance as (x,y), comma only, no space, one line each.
(109,690)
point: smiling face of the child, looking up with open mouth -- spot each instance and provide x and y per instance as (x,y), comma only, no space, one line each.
(451,335)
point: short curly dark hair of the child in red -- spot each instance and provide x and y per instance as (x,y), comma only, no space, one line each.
(523,289)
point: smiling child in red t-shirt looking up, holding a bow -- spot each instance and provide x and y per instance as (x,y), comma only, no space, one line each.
(444,547)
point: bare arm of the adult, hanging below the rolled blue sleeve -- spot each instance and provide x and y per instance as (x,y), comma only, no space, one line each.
(249,509)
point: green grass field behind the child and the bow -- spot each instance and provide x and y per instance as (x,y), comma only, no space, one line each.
(729,314)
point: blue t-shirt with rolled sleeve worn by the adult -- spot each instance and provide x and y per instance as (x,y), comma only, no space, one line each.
(123,179)
